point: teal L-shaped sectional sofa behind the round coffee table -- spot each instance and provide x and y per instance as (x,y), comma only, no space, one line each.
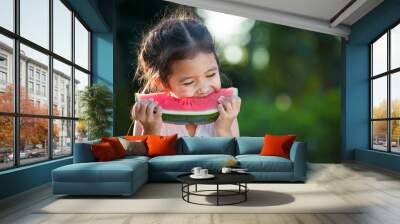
(125,176)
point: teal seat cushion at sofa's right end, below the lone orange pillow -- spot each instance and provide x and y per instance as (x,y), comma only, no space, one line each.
(257,163)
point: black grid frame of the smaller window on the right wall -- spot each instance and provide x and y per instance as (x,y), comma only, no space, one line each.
(388,74)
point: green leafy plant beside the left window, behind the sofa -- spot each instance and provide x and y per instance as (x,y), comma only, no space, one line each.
(96,104)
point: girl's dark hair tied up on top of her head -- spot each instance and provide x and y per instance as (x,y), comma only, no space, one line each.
(177,37)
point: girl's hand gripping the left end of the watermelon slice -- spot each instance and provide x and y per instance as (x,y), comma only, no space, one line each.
(148,113)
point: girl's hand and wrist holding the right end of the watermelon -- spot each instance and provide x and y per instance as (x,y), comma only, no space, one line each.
(228,109)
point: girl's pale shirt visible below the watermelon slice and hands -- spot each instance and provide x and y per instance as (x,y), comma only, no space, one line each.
(202,130)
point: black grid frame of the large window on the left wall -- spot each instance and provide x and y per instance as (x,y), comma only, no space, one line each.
(16,115)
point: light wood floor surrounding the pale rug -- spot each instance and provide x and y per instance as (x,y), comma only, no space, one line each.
(354,182)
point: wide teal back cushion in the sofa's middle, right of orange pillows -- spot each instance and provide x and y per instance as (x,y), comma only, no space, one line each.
(207,145)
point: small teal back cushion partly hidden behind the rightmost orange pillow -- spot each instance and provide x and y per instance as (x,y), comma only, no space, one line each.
(249,145)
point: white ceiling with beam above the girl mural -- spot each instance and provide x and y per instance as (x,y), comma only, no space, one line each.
(315,15)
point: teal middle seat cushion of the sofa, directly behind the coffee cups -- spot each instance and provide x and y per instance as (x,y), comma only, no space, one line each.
(185,163)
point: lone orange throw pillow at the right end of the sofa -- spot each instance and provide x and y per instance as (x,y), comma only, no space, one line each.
(275,145)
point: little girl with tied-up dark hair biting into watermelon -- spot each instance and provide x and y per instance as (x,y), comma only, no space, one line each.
(178,57)
